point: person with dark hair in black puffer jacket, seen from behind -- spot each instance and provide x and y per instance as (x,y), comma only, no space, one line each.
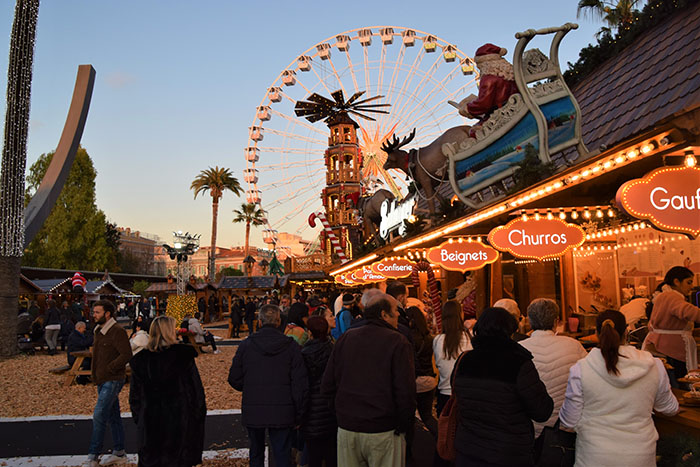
(499,393)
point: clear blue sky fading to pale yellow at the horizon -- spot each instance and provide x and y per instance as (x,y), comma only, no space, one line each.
(178,83)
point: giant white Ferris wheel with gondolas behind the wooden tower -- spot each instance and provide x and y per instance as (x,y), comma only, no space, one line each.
(417,73)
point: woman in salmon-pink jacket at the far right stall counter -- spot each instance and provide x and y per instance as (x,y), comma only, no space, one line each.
(672,320)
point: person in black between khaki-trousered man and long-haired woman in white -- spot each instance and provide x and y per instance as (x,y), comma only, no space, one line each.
(425,376)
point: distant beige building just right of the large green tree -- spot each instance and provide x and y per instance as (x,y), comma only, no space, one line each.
(140,252)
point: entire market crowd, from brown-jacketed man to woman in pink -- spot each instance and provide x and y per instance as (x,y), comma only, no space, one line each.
(338,380)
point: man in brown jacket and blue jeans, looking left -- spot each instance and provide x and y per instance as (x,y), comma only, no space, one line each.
(110,354)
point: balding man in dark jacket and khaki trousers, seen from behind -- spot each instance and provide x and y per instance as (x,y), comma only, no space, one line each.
(371,377)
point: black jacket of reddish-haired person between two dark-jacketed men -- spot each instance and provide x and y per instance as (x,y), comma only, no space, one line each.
(319,419)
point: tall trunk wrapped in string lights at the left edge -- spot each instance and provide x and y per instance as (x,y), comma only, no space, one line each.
(14,160)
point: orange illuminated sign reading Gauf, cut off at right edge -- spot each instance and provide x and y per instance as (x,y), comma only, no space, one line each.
(669,197)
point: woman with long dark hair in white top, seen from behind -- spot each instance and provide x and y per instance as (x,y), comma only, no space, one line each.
(449,345)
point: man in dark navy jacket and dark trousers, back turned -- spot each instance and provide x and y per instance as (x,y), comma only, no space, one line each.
(269,369)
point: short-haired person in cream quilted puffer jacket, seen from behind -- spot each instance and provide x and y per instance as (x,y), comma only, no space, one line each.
(553,355)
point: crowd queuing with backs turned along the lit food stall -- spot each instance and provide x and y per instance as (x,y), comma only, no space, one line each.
(345,388)
